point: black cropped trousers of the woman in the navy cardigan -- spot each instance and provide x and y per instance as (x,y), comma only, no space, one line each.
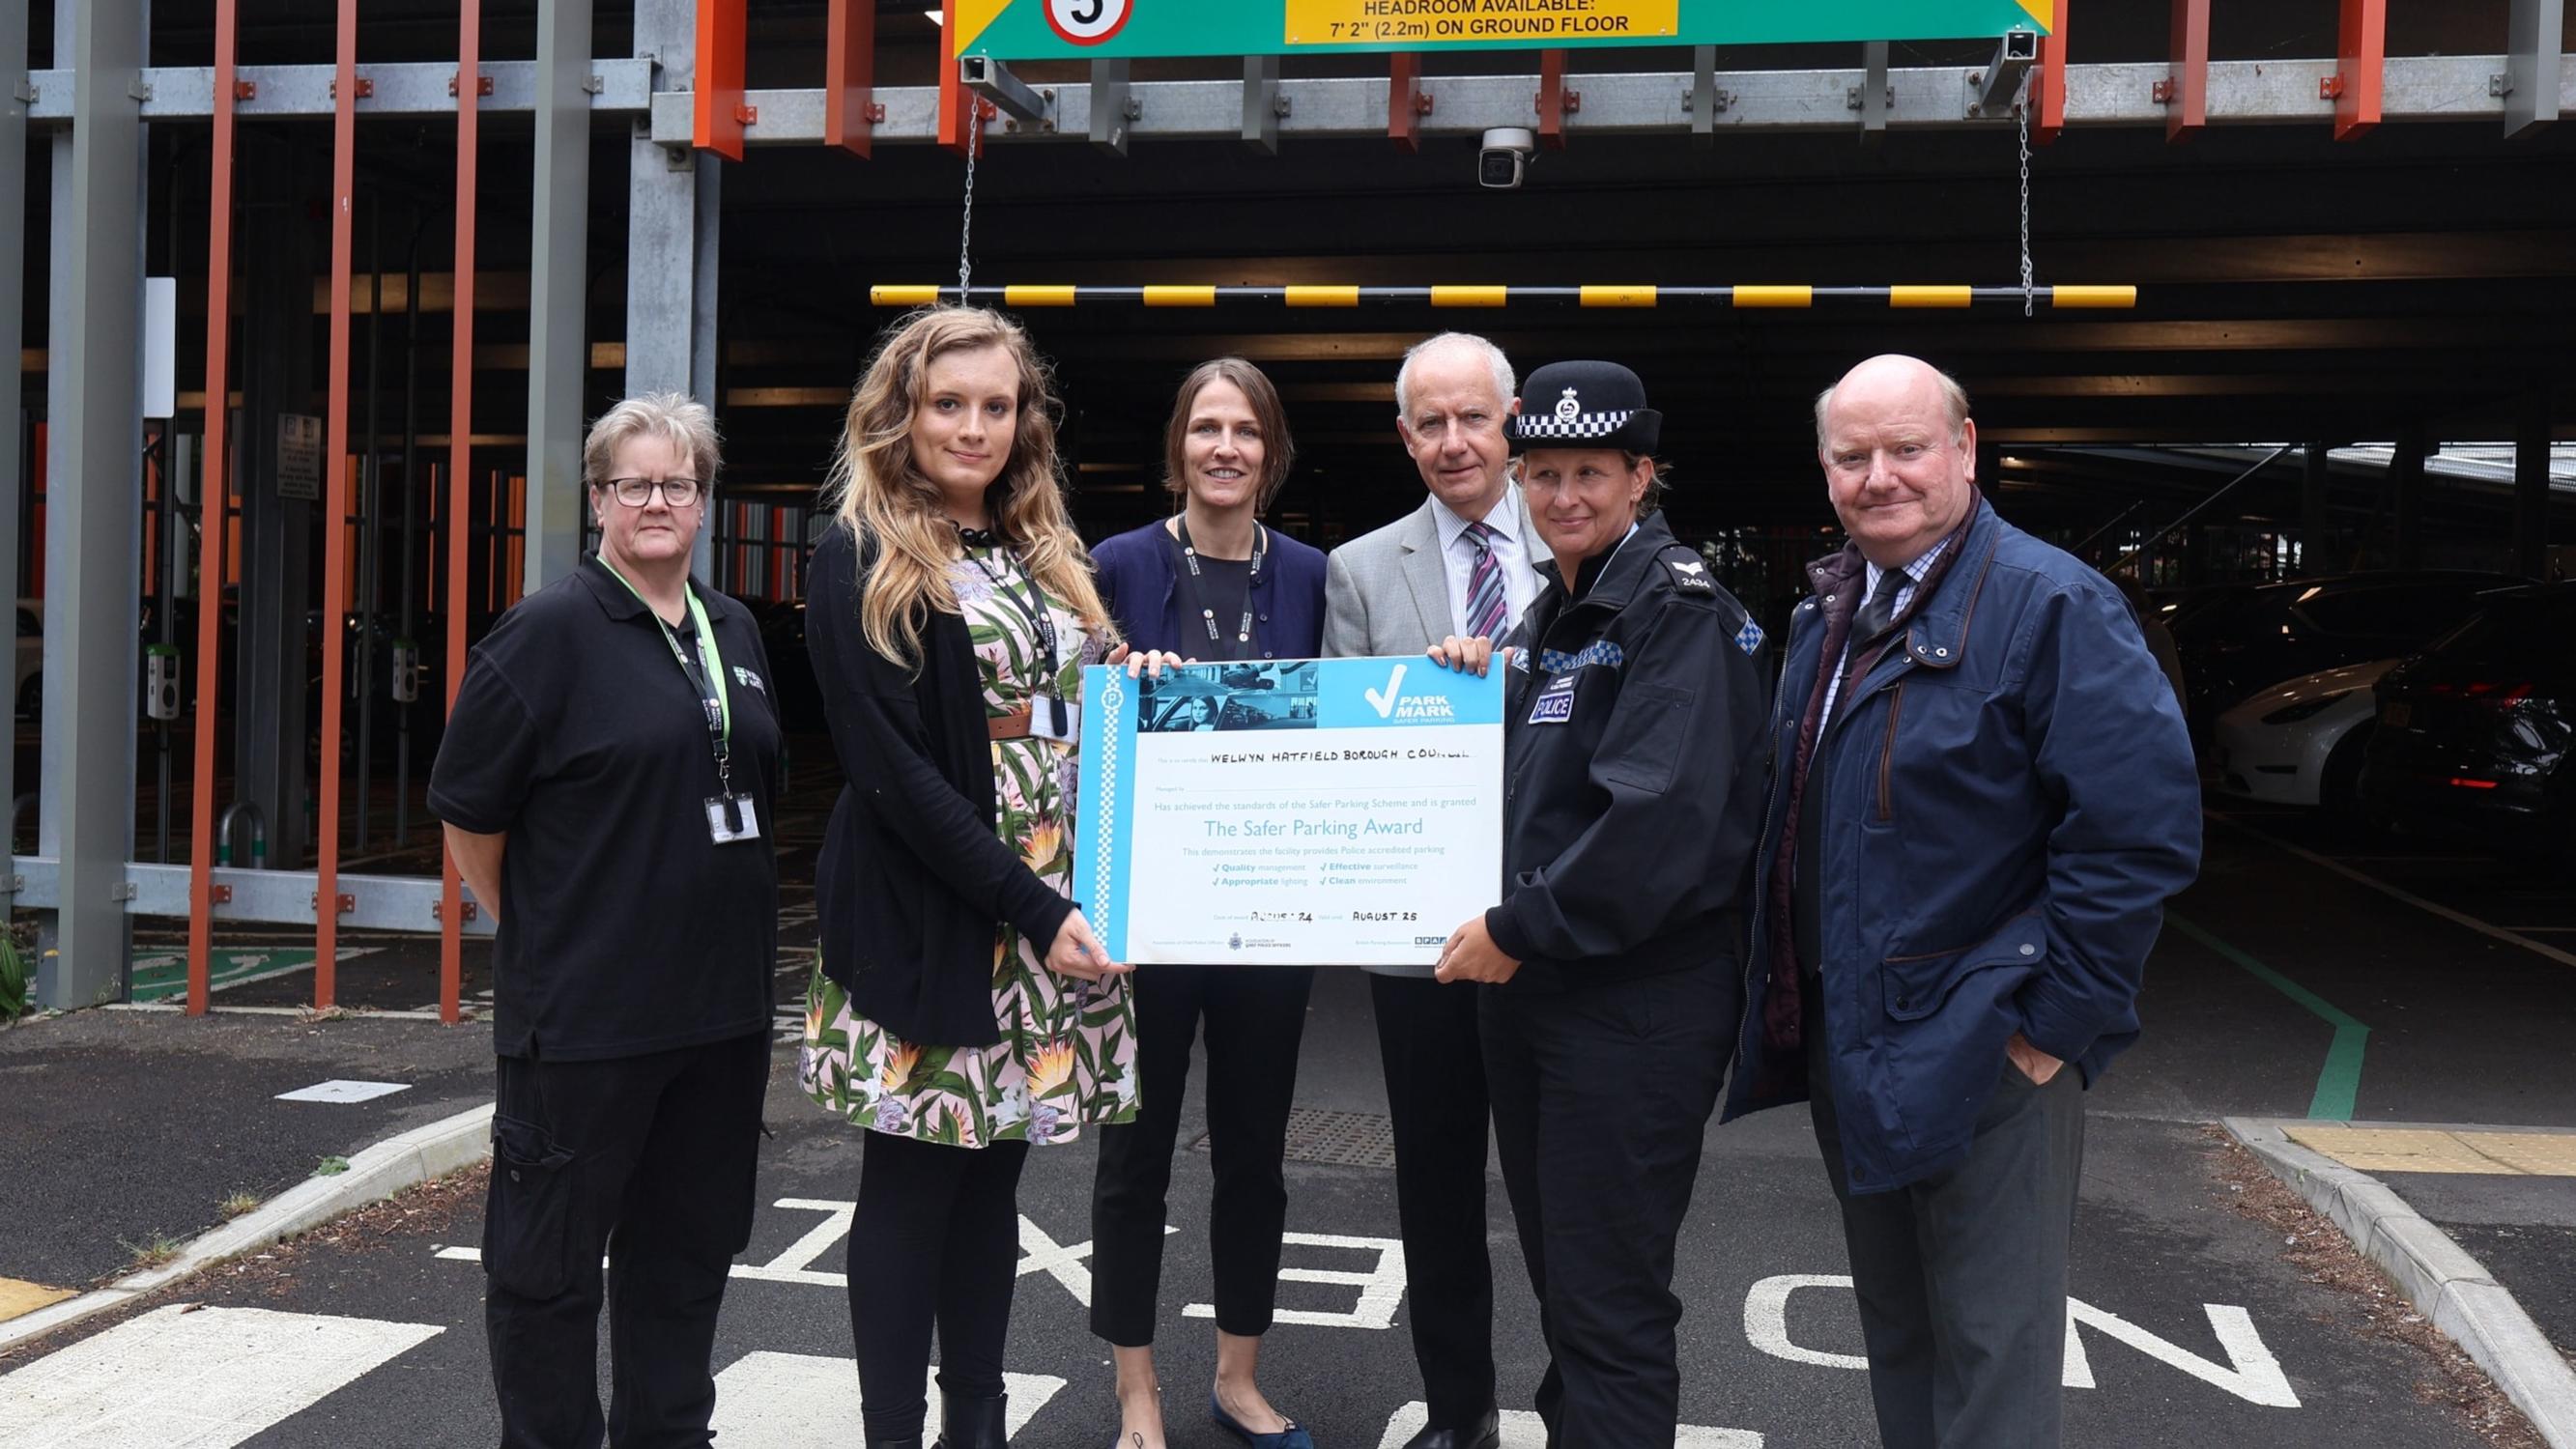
(1256,1018)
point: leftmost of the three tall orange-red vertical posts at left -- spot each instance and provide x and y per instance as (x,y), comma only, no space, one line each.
(213,495)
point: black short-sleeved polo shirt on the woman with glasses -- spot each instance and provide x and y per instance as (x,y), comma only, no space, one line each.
(625,928)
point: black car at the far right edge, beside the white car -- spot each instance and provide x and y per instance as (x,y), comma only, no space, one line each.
(2474,735)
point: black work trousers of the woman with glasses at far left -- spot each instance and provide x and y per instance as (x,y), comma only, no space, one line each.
(648,1159)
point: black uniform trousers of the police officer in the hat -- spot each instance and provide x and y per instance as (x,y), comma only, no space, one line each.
(1601,1098)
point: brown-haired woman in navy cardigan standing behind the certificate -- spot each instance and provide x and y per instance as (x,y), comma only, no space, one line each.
(1209,586)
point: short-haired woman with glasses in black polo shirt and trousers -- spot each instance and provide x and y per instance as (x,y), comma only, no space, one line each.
(607,789)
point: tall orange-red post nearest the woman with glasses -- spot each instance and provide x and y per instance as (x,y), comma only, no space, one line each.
(460,516)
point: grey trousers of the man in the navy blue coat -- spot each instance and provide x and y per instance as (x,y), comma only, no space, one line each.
(1962,1275)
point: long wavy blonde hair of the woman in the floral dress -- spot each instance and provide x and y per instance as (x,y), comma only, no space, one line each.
(880,493)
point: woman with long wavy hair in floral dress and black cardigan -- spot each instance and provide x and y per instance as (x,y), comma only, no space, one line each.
(962,1008)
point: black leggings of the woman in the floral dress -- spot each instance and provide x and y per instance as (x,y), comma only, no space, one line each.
(936,1239)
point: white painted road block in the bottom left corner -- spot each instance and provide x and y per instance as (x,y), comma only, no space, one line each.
(194,1378)
